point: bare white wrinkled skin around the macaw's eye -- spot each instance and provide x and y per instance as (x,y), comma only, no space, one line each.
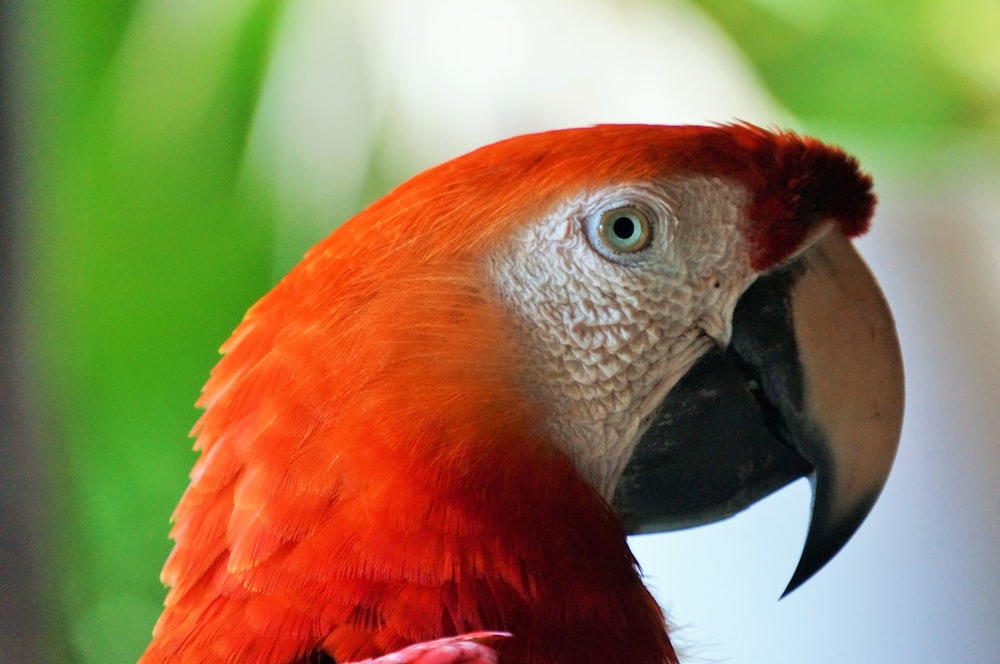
(611,324)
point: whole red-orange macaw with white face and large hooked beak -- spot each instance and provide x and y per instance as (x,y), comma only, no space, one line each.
(444,422)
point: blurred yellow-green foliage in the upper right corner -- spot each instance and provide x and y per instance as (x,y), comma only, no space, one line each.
(873,66)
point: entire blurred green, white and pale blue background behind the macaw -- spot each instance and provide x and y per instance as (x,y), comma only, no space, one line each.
(166,161)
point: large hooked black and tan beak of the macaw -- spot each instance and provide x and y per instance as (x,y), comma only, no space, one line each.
(811,385)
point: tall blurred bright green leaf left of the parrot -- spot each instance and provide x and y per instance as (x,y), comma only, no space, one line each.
(147,251)
